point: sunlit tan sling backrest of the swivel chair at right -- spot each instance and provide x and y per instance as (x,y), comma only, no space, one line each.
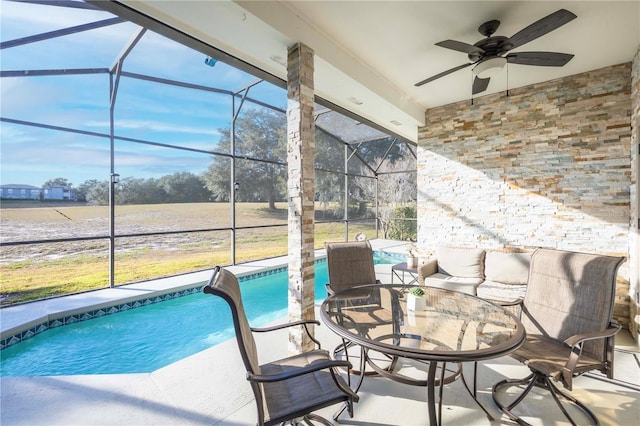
(570,293)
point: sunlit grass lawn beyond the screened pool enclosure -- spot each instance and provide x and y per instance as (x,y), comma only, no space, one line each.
(34,271)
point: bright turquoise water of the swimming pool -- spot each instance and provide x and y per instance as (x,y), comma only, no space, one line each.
(150,337)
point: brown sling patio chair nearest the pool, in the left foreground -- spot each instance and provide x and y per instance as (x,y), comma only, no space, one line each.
(289,389)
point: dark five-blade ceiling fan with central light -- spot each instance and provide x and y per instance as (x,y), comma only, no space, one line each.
(488,54)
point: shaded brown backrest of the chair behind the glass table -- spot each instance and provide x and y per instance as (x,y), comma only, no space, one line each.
(350,264)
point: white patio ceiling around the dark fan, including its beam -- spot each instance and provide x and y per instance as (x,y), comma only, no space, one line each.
(375,51)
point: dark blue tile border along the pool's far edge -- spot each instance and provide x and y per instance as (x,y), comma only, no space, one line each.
(119,307)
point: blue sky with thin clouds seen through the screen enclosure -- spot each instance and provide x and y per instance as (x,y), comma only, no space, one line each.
(144,111)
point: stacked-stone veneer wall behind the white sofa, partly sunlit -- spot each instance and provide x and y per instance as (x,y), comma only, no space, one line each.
(547,166)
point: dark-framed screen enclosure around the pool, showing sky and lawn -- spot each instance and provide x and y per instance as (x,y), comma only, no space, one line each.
(127,156)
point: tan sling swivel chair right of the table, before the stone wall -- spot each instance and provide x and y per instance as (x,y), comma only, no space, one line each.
(567,314)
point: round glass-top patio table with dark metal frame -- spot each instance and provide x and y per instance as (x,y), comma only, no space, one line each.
(453,328)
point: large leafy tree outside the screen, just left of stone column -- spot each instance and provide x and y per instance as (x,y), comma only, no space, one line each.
(260,135)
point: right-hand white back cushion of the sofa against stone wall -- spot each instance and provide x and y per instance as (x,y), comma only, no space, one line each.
(507,268)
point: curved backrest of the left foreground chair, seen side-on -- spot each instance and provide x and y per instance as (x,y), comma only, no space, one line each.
(225,285)
